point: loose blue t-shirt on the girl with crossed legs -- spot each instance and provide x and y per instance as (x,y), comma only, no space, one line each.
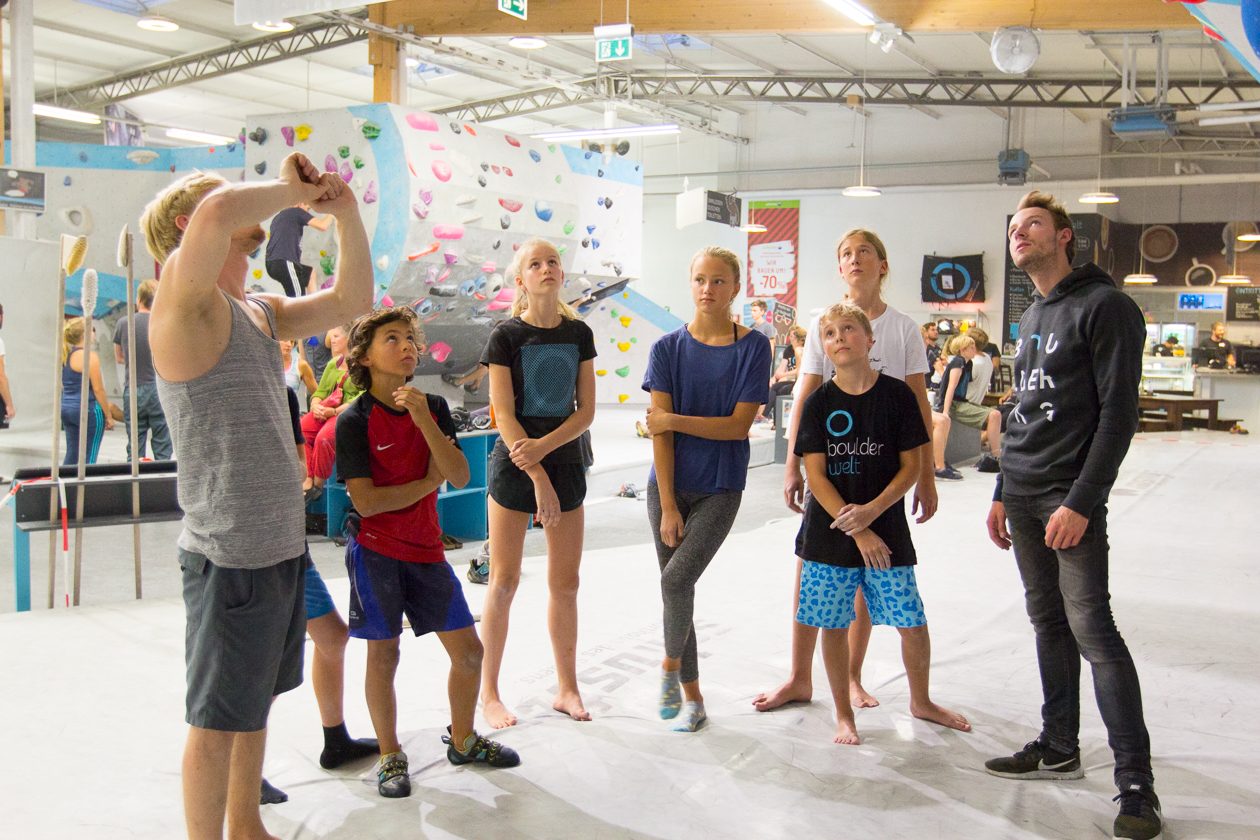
(706,381)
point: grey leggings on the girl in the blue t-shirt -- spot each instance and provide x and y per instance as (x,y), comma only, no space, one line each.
(707,519)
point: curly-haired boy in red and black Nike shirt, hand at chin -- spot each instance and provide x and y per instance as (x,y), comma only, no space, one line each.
(395,449)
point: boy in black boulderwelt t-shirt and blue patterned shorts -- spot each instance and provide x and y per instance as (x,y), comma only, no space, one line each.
(859,439)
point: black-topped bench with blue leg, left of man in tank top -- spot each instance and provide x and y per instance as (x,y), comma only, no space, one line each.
(106,491)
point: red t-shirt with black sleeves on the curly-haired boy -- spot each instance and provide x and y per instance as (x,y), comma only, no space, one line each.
(379,443)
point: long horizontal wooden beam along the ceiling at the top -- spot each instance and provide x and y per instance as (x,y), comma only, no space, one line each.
(437,18)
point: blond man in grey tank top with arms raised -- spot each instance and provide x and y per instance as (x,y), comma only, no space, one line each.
(241,551)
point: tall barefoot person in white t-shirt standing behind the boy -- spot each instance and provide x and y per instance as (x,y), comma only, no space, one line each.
(898,352)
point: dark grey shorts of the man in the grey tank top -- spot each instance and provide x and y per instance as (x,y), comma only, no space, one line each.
(244,643)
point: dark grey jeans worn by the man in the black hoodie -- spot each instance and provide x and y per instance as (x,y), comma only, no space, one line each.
(1069,605)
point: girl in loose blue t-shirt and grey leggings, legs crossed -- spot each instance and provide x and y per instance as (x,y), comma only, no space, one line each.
(707,381)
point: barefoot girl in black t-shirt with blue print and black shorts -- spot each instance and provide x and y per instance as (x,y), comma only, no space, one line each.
(542,392)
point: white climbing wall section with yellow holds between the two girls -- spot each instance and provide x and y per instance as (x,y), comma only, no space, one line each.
(626,327)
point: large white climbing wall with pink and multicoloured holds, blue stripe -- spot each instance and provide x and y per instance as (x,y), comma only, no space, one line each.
(447,203)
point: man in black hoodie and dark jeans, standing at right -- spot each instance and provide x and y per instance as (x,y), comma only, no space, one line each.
(1077,373)
